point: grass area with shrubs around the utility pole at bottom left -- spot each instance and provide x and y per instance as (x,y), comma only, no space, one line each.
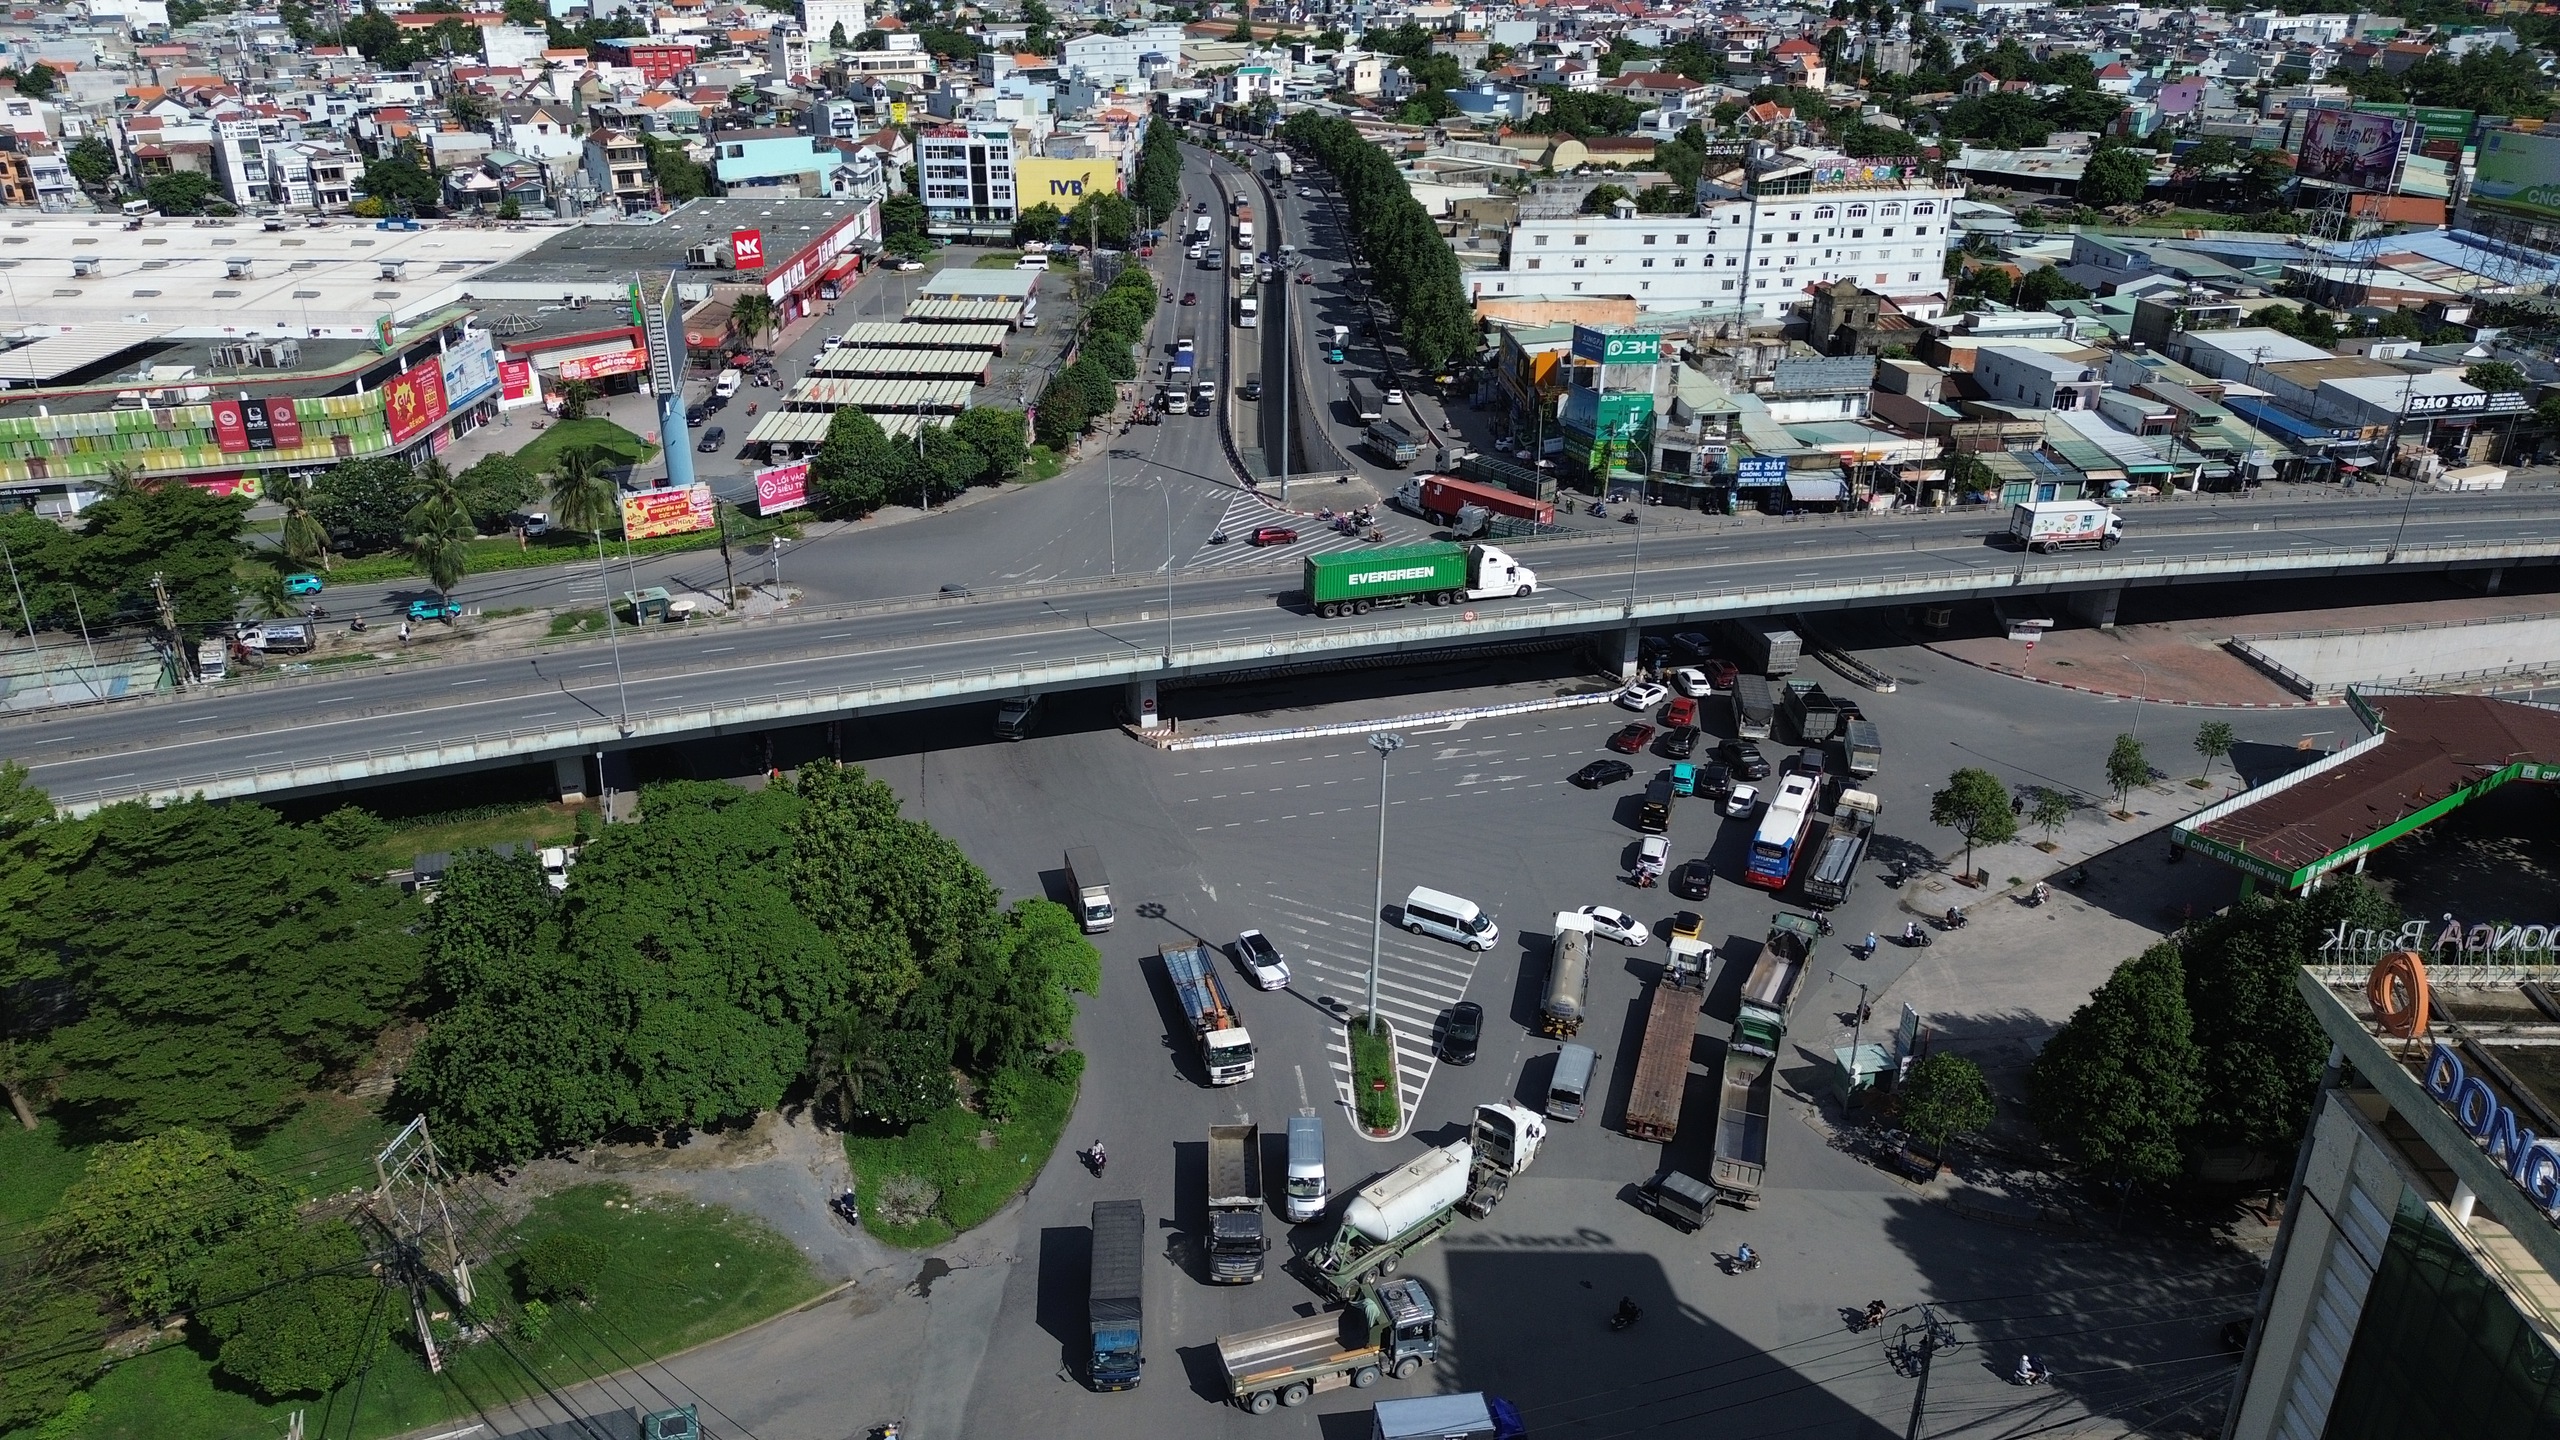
(677,1275)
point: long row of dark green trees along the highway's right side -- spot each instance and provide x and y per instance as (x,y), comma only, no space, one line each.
(1407,258)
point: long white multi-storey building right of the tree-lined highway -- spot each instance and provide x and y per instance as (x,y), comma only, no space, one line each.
(1809,222)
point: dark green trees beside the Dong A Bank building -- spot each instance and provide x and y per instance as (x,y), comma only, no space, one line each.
(2200,1044)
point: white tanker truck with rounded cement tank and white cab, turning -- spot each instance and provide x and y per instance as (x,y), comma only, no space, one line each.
(1409,1208)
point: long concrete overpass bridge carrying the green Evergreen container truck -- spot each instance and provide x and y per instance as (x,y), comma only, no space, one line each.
(572,701)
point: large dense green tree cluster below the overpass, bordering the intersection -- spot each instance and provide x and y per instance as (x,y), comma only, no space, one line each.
(703,960)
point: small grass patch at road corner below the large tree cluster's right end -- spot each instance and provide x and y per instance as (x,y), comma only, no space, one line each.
(956,1170)
